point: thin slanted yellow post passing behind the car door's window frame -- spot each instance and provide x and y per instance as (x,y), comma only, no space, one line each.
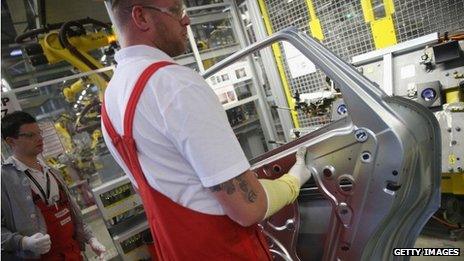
(280,65)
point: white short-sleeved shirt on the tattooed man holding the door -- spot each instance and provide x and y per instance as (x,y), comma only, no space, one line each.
(185,143)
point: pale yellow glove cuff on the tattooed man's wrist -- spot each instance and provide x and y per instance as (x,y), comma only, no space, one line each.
(280,192)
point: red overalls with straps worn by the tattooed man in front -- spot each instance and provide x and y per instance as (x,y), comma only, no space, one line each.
(180,233)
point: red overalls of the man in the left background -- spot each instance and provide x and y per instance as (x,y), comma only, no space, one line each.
(60,227)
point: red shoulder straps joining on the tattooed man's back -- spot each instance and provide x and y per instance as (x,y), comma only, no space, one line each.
(125,145)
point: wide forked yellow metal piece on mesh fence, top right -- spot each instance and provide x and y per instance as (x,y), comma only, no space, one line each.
(383,29)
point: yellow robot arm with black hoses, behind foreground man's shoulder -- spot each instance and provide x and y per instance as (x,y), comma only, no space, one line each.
(71,42)
